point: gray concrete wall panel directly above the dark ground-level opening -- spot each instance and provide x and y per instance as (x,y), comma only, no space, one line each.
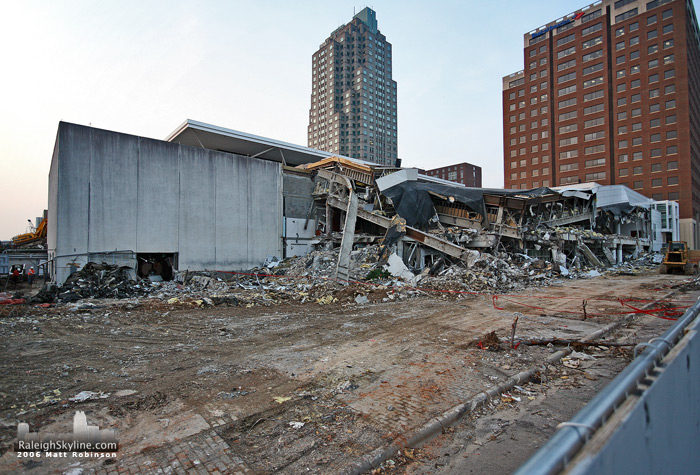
(159,193)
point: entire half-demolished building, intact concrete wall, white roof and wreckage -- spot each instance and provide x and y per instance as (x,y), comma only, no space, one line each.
(211,198)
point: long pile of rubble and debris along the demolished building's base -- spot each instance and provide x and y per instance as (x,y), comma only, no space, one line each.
(310,279)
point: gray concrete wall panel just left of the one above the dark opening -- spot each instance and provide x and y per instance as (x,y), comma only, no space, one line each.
(113,192)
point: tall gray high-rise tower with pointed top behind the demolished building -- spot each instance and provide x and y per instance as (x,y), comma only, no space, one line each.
(353,96)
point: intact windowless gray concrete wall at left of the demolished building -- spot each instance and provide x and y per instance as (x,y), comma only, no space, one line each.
(115,192)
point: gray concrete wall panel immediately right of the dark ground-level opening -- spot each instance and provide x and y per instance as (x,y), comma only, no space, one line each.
(197,226)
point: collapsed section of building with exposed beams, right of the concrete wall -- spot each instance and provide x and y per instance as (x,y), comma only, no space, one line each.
(428,219)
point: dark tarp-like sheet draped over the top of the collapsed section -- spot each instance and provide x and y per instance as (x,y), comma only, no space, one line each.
(412,200)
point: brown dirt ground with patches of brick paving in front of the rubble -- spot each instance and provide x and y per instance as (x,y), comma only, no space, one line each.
(312,387)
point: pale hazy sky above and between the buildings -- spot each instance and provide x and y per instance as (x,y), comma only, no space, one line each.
(143,67)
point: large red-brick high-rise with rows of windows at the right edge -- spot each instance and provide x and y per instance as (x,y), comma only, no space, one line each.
(610,93)
